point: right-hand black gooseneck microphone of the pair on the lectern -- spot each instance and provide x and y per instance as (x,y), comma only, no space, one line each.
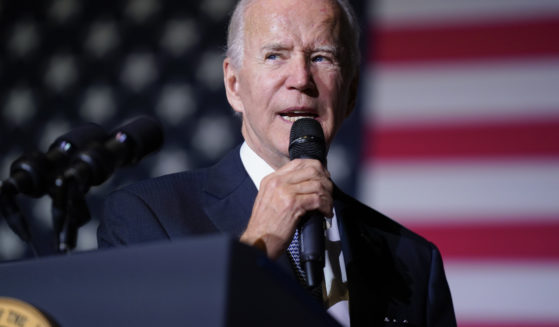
(94,165)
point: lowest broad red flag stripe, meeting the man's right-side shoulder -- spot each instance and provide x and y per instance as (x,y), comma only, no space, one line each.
(508,240)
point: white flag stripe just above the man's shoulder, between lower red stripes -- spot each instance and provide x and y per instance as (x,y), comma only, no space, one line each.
(446,188)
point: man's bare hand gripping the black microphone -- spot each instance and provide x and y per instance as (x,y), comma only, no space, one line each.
(300,186)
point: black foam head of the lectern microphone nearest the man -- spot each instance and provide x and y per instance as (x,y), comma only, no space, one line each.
(145,134)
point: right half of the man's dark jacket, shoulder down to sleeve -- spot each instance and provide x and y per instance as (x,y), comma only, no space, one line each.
(402,268)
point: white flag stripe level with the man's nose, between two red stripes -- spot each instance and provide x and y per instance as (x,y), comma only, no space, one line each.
(467,91)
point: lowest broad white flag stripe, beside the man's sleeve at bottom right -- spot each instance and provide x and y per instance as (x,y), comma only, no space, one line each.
(505,292)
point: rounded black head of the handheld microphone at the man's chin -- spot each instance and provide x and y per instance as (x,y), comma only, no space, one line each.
(306,140)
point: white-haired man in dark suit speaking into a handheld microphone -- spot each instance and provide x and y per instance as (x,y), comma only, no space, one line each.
(285,60)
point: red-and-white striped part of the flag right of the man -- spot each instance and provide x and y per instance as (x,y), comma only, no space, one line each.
(461,144)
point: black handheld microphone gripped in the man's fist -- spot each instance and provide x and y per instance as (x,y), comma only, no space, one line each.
(306,141)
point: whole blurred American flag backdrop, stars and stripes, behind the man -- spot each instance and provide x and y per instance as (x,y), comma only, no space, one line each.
(456,133)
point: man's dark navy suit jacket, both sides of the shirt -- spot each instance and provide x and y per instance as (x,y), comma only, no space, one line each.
(395,277)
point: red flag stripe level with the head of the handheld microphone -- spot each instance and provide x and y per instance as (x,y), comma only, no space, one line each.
(480,140)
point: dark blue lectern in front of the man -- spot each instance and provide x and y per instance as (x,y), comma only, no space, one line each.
(206,281)
